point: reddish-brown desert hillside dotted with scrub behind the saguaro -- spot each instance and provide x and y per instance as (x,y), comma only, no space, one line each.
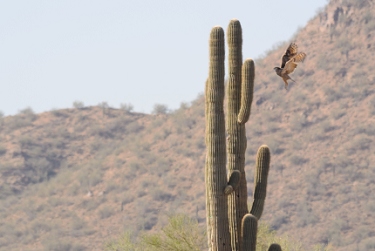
(72,179)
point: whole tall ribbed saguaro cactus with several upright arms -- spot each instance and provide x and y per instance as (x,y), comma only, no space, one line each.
(229,224)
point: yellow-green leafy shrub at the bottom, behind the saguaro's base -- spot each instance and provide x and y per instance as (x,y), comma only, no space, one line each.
(184,234)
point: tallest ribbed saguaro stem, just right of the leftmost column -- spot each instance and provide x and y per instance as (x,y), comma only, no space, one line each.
(236,140)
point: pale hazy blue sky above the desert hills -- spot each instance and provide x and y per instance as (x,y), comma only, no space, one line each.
(140,52)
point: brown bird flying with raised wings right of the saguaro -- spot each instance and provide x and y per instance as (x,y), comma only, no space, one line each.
(289,62)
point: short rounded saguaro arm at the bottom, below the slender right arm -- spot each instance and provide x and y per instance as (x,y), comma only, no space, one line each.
(249,232)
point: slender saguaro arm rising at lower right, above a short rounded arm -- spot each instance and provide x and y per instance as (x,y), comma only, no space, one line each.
(260,182)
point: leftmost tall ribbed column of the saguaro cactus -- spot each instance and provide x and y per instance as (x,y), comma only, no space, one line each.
(215,167)
